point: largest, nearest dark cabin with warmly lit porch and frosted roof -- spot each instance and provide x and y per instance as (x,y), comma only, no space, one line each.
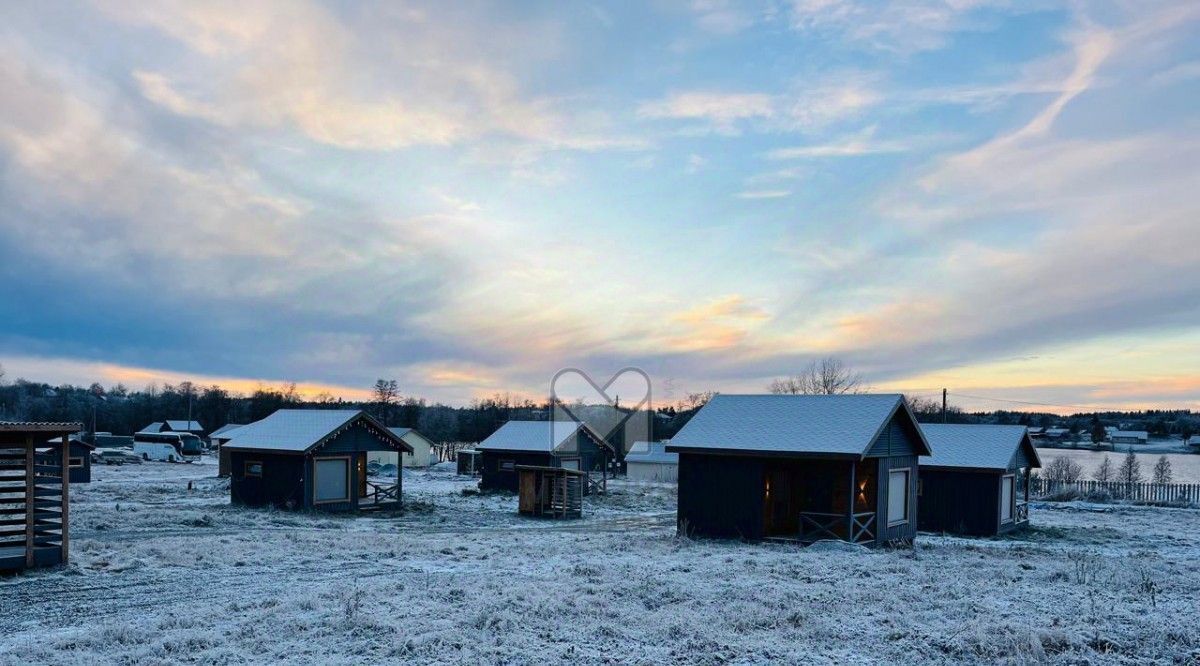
(801,469)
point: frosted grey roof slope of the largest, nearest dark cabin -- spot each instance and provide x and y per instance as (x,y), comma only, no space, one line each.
(788,424)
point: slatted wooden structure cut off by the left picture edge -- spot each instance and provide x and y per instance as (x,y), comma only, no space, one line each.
(34,495)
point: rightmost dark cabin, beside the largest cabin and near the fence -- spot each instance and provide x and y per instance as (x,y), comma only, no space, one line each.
(977,482)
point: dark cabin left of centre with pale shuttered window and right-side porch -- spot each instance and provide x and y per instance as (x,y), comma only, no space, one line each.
(311,459)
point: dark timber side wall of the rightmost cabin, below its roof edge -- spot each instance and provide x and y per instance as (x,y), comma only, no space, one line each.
(961,502)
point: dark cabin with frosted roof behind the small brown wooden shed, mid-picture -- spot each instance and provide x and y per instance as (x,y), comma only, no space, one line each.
(567,445)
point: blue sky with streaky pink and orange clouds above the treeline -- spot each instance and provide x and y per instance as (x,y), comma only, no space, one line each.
(1000,199)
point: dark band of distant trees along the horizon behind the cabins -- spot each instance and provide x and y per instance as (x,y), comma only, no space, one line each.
(122,411)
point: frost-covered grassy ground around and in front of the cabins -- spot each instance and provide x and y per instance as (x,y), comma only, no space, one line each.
(161,574)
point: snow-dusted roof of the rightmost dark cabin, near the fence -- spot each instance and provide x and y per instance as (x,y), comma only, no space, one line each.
(975,447)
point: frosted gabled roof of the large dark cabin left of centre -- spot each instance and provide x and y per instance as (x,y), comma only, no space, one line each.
(299,430)
